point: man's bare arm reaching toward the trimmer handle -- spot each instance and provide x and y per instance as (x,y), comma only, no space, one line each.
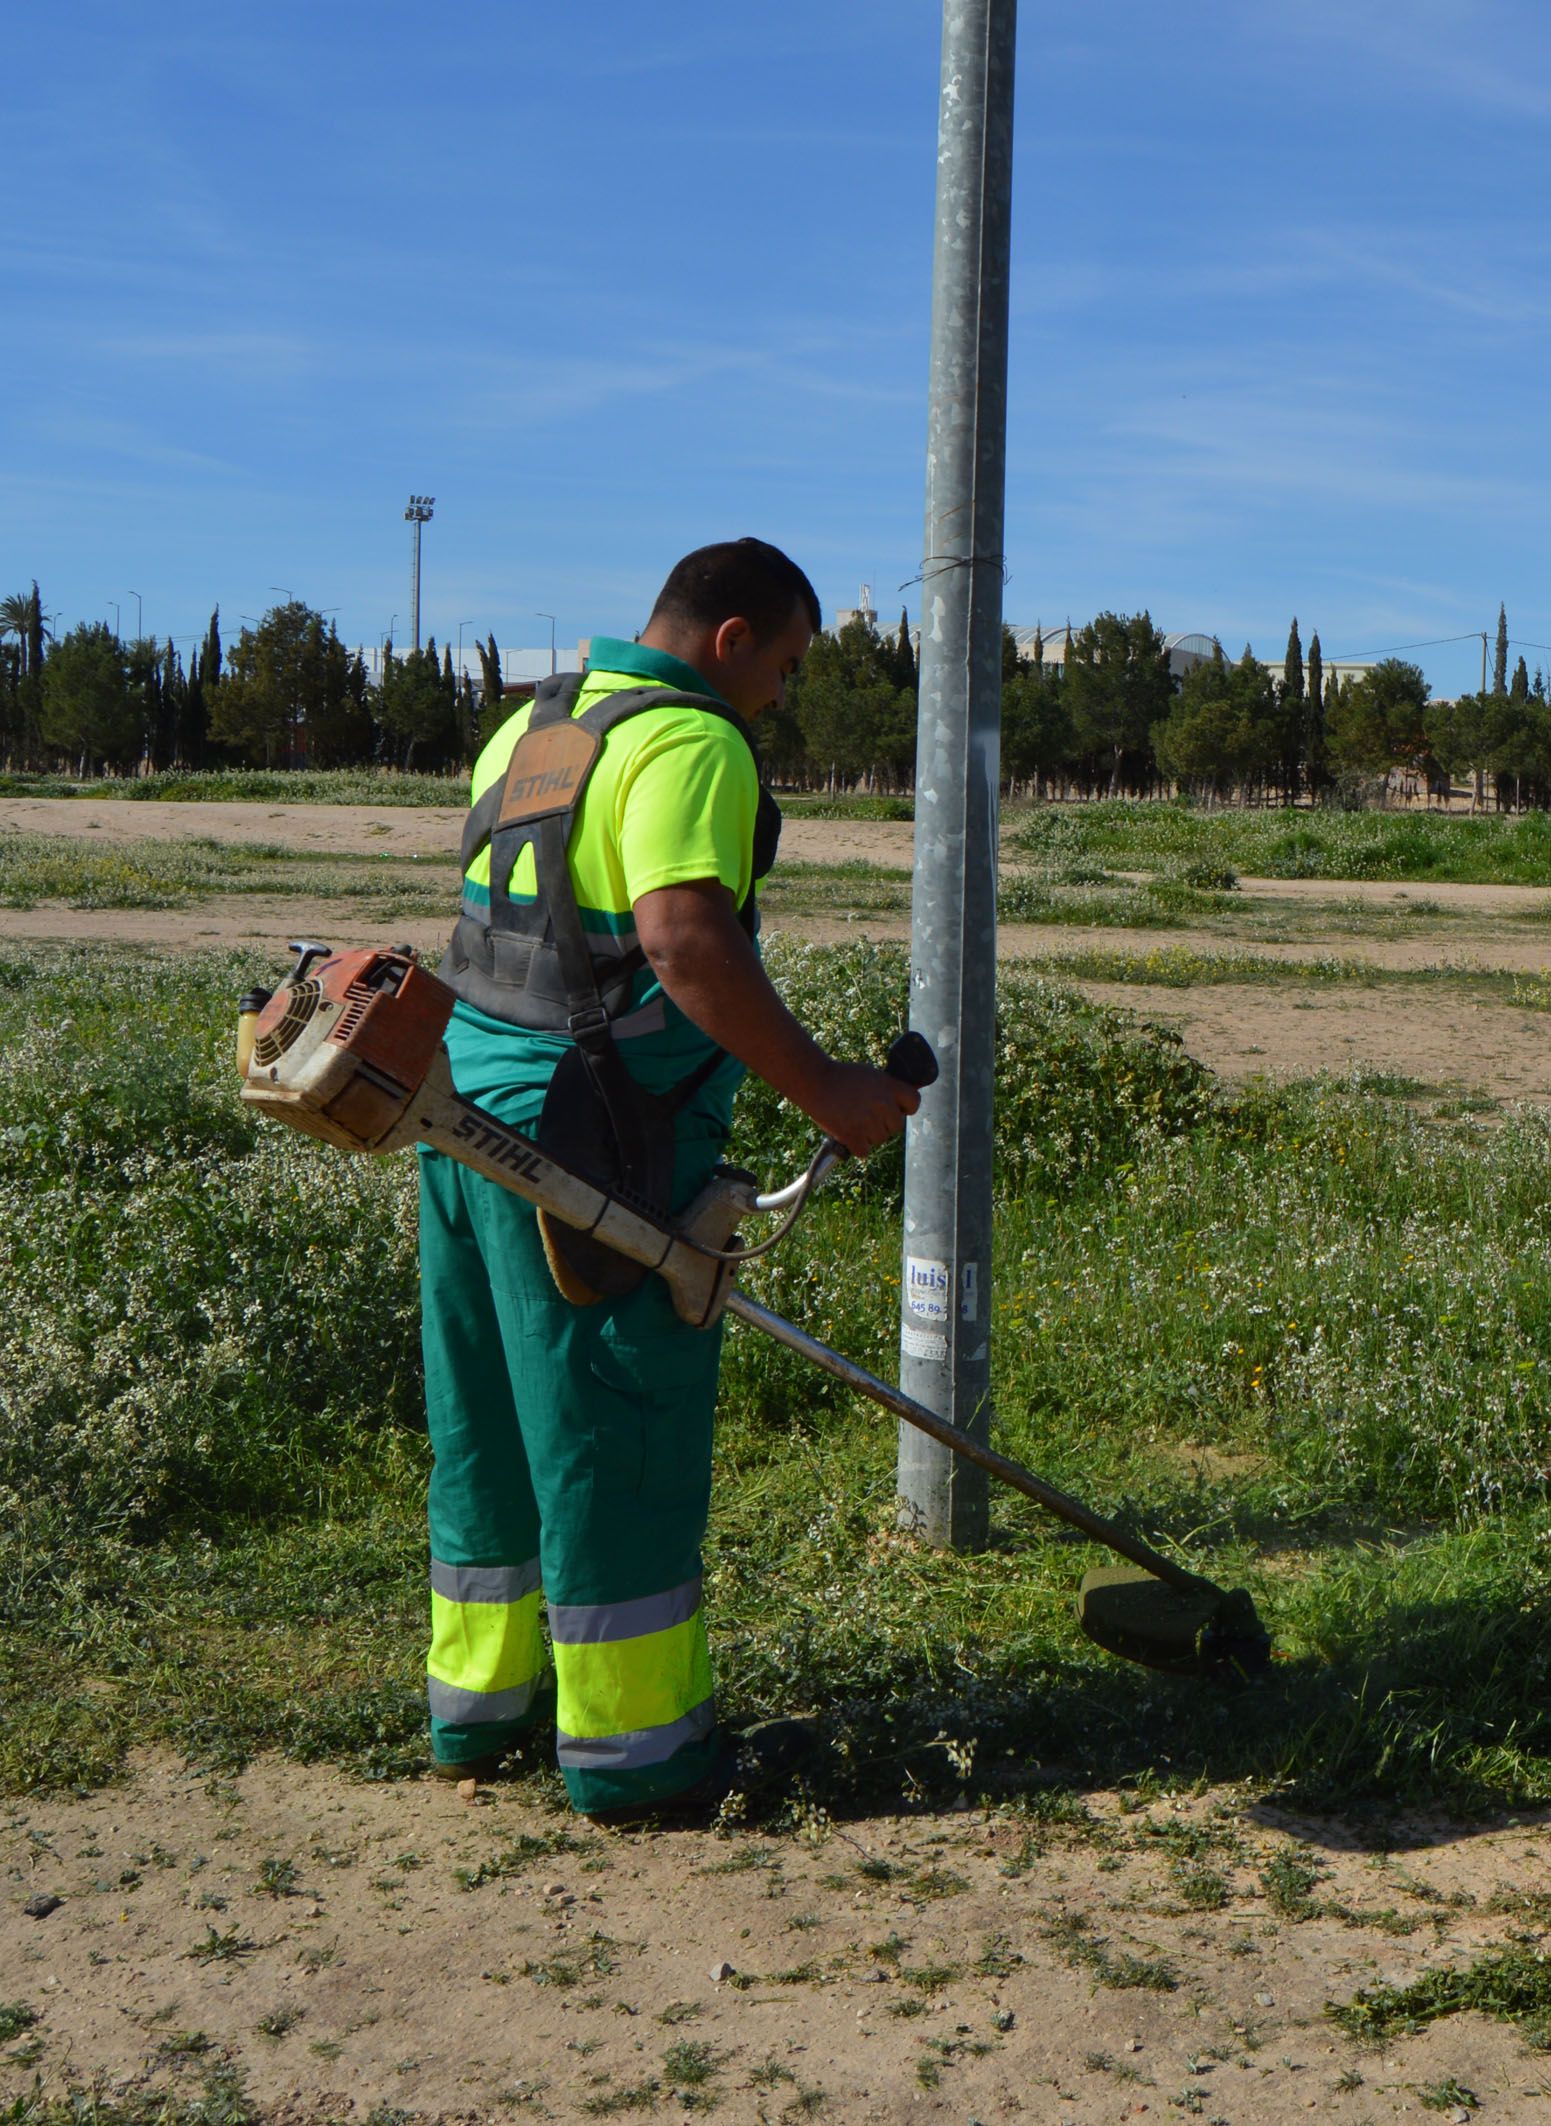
(709,966)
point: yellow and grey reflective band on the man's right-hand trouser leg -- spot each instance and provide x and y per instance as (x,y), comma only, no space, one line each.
(634,1681)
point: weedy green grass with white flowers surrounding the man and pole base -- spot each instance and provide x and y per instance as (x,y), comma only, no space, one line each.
(1297,1334)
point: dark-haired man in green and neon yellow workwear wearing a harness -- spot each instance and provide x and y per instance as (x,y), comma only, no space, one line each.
(609,981)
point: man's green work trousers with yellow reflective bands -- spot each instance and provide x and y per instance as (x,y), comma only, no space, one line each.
(573,1470)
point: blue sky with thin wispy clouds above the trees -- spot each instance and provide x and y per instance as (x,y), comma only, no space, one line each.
(611,282)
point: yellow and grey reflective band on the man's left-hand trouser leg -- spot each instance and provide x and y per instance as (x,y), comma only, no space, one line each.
(488,1655)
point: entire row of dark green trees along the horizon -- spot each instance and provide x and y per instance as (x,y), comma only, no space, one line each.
(1106,720)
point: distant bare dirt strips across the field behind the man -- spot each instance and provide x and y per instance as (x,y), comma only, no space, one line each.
(1240,1030)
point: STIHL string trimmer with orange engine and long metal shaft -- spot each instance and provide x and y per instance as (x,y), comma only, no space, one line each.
(350,1049)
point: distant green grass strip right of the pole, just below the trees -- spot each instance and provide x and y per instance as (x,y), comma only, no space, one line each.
(1286,843)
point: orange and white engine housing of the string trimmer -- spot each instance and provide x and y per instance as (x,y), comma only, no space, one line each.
(343,1051)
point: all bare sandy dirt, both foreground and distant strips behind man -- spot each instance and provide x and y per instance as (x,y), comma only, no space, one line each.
(411,1953)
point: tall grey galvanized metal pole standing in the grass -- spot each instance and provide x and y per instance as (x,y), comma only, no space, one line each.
(947,1272)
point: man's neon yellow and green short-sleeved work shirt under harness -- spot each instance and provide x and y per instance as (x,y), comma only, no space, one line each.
(672,800)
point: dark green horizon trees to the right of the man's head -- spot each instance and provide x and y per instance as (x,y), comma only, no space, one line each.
(1112,720)
